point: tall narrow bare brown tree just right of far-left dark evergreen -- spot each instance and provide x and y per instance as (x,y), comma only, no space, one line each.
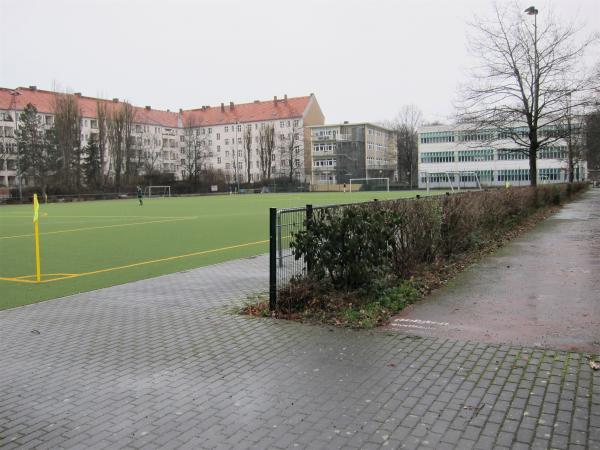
(67,131)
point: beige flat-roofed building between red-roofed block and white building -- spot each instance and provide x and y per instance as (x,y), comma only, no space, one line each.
(340,152)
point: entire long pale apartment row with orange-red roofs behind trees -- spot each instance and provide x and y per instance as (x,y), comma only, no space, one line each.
(162,139)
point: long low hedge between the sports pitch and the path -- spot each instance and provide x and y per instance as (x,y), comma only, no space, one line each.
(354,246)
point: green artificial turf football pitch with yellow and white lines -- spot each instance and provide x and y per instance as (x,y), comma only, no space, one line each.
(91,245)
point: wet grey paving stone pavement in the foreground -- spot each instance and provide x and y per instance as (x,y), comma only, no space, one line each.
(163,363)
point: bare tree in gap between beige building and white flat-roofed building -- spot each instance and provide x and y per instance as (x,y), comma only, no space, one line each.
(406,131)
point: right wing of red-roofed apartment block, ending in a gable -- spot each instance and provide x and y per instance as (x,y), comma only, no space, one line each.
(231,137)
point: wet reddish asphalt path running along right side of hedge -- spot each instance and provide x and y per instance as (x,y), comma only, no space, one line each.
(540,290)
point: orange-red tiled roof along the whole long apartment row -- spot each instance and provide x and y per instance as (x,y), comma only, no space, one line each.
(246,112)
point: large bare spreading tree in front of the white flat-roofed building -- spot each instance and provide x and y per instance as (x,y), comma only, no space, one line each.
(525,74)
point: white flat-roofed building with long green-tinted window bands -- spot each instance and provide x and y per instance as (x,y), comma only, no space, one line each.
(450,155)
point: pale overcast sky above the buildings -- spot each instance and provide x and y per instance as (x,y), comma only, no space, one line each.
(362,59)
